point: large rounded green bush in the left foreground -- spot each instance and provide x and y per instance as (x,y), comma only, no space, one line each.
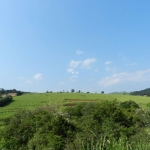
(37,130)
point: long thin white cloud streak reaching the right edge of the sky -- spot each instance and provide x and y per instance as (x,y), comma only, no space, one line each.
(138,76)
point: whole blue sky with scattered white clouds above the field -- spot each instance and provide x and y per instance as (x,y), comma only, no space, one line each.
(84,45)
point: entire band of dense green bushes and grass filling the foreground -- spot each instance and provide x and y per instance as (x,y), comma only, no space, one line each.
(105,125)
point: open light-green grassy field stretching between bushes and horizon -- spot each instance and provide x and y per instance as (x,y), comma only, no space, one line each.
(31,101)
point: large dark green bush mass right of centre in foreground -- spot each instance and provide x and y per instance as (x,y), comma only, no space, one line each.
(103,119)
